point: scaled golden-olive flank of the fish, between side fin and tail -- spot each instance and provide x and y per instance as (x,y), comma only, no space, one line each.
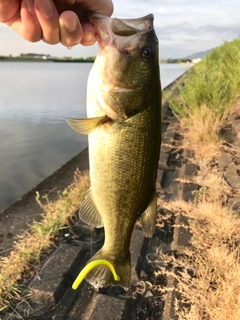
(128,170)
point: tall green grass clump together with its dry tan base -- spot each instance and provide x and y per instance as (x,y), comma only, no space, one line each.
(210,93)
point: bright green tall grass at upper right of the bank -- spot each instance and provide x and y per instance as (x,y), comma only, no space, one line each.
(214,83)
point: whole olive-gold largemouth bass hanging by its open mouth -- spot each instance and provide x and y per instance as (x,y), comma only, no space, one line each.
(124,127)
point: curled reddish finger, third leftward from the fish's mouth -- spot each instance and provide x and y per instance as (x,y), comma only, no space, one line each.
(48,18)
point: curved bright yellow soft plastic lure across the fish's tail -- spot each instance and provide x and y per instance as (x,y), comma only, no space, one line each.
(89,267)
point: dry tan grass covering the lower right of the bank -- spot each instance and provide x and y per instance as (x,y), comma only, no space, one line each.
(208,280)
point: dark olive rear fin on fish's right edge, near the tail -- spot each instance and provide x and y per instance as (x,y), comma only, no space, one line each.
(148,218)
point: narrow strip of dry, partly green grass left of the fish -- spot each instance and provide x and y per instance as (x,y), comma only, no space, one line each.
(28,249)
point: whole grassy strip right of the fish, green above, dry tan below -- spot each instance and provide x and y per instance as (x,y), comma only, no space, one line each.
(208,283)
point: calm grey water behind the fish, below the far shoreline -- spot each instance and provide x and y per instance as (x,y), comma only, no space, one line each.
(35,99)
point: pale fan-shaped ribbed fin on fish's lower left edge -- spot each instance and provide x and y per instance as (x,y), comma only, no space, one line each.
(88,212)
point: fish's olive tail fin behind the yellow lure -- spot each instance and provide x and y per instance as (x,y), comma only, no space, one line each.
(101,276)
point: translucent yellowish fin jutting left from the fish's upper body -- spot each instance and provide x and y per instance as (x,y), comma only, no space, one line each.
(86,126)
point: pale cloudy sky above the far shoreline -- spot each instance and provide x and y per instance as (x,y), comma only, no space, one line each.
(183,27)
